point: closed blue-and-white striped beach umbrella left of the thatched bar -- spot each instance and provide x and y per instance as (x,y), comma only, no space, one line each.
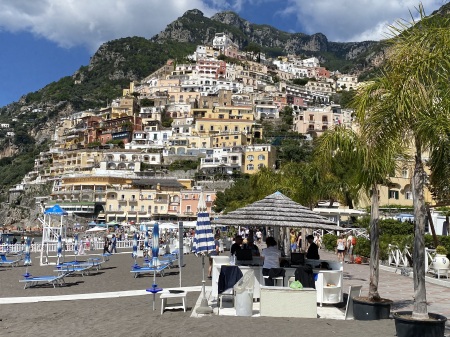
(204,237)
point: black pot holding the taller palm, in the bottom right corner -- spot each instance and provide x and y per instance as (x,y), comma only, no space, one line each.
(407,327)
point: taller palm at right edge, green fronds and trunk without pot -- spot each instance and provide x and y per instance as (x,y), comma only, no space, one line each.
(409,103)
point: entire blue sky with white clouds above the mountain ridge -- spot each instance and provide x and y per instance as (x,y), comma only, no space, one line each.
(44,40)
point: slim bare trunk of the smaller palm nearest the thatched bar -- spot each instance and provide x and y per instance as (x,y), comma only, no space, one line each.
(374,262)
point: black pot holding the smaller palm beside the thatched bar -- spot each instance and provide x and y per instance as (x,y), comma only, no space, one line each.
(364,310)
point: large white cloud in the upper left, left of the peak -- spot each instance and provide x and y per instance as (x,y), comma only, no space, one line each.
(90,23)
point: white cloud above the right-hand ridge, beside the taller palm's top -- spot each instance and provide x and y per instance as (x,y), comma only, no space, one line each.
(352,20)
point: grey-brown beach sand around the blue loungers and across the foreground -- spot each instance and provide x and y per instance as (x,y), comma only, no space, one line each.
(134,316)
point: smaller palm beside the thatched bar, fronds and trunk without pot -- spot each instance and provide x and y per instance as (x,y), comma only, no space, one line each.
(374,159)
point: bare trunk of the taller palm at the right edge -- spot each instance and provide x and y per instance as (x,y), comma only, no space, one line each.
(418,182)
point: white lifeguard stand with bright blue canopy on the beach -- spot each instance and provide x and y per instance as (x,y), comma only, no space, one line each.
(53,227)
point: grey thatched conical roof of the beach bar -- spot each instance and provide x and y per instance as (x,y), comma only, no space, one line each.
(276,210)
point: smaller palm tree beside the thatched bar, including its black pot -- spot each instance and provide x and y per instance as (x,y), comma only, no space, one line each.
(375,157)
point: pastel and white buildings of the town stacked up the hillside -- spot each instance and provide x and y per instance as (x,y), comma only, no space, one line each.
(111,164)
